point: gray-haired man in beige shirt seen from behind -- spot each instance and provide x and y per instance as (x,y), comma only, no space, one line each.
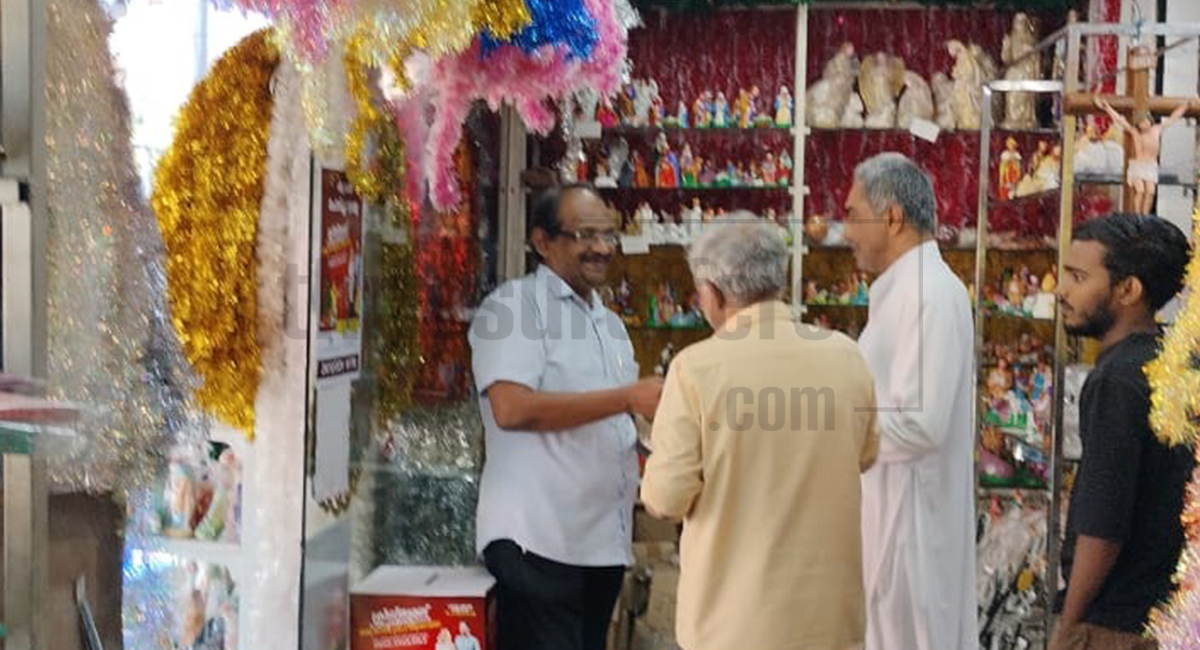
(758,446)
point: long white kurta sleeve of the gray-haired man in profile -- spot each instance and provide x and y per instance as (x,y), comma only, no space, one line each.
(923,382)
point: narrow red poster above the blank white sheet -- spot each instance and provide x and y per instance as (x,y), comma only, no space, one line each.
(341,255)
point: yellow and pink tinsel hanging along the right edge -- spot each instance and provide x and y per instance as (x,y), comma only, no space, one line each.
(1175,416)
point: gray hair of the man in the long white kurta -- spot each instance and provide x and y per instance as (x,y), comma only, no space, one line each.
(893,179)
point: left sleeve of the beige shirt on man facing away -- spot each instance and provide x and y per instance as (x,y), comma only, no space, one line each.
(675,471)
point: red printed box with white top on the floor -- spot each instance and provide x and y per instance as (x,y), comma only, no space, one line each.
(424,609)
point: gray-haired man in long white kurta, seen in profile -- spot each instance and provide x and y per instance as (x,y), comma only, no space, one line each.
(919,503)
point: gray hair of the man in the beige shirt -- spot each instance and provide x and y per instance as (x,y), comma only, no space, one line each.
(746,257)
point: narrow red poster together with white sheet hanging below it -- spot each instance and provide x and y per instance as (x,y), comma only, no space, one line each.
(338,316)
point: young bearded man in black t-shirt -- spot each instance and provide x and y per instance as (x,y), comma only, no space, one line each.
(1124,531)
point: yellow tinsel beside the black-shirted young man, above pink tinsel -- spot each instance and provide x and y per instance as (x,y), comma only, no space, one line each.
(1175,376)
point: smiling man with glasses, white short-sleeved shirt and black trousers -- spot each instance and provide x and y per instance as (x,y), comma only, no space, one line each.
(559,384)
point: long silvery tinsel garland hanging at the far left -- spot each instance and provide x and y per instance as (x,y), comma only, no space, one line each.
(111,346)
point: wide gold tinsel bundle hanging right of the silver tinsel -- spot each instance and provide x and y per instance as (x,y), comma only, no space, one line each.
(208,194)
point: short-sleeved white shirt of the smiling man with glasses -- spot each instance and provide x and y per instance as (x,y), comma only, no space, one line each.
(565,496)
